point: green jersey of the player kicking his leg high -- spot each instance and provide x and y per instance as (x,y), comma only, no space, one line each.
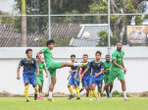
(47,56)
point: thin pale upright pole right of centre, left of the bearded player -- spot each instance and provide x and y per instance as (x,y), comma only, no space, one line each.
(109,29)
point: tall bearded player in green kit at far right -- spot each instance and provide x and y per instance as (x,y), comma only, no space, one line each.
(118,68)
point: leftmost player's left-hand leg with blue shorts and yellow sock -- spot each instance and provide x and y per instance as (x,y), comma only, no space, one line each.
(26,83)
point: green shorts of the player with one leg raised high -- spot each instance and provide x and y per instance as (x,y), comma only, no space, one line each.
(53,67)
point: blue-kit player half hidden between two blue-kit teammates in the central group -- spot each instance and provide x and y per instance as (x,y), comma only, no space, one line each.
(85,74)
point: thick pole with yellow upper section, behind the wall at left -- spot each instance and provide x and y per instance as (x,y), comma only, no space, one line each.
(24,25)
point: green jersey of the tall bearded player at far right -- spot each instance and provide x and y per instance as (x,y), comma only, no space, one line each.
(118,56)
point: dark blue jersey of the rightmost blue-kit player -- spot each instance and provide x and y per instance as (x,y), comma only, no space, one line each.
(96,67)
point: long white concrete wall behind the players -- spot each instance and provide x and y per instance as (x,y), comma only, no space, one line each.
(136,61)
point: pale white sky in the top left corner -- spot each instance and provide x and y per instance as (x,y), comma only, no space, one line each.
(7,5)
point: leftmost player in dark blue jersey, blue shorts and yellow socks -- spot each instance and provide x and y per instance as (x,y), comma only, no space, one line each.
(29,65)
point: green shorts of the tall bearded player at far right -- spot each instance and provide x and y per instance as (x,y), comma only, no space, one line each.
(116,74)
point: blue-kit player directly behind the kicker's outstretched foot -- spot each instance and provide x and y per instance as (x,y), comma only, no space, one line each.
(74,79)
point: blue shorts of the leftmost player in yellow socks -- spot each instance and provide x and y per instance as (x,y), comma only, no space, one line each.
(30,79)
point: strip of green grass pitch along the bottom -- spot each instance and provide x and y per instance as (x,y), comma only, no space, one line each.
(18,103)
